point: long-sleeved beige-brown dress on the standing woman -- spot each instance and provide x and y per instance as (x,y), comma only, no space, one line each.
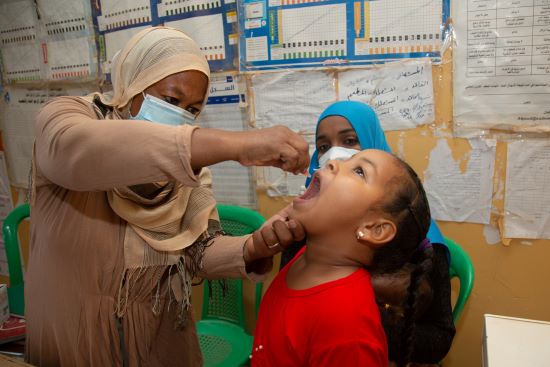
(76,254)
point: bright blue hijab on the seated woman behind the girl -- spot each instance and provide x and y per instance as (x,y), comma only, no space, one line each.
(365,122)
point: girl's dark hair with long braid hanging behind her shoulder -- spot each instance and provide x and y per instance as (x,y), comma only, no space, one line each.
(408,207)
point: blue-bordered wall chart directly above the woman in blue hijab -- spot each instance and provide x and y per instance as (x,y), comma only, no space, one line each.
(309,33)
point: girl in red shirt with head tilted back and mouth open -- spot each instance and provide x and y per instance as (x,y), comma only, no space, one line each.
(366,214)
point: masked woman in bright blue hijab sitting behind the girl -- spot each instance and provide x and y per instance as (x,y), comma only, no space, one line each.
(342,129)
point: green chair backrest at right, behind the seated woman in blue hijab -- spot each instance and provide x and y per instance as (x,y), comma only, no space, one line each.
(461,267)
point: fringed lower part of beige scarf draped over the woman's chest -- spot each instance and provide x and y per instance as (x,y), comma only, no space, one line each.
(167,229)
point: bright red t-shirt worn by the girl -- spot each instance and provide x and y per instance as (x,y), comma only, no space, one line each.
(332,324)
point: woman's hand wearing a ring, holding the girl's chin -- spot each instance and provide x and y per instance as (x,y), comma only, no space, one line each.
(275,235)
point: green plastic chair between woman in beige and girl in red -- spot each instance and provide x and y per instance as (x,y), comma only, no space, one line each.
(222,328)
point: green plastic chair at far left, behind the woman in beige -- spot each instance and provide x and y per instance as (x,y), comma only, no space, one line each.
(16,290)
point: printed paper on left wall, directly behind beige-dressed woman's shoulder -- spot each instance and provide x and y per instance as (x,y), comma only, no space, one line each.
(19,109)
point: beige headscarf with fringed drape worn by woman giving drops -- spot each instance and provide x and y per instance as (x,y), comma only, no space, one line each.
(160,226)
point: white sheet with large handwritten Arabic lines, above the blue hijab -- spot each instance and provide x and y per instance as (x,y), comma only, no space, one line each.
(400,92)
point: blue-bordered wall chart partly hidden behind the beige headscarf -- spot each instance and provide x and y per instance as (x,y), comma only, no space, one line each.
(211,23)
